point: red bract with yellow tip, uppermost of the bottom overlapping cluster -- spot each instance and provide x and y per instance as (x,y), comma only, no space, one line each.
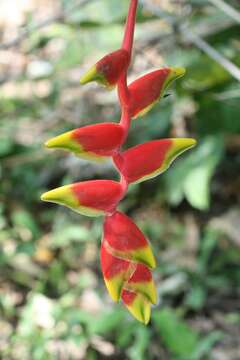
(126,240)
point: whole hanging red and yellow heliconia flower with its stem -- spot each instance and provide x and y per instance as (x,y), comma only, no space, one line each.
(126,256)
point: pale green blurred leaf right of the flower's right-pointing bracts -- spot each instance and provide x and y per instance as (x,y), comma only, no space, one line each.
(191,176)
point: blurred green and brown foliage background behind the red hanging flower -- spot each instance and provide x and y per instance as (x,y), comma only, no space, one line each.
(53,303)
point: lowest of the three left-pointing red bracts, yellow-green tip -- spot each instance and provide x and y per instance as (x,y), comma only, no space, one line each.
(91,198)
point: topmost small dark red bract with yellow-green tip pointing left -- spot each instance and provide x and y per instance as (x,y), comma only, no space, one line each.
(108,70)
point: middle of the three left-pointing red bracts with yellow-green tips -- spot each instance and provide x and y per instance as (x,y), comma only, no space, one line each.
(92,142)
